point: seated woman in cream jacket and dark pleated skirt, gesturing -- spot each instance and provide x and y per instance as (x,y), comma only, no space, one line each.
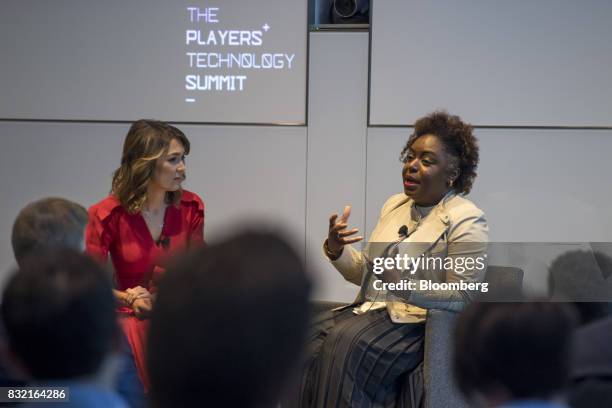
(357,353)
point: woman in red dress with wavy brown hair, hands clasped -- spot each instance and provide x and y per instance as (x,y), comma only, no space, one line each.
(147,218)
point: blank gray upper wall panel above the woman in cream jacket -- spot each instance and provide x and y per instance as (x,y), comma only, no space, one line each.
(521,62)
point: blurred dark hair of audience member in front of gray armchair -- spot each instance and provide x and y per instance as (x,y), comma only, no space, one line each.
(522,347)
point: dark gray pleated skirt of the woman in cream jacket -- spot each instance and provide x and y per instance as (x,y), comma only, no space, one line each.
(362,361)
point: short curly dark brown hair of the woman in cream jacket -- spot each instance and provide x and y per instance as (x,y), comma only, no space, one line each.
(458,140)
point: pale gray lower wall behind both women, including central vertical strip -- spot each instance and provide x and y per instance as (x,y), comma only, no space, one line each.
(534,184)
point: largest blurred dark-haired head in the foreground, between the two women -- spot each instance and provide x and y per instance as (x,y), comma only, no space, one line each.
(229,324)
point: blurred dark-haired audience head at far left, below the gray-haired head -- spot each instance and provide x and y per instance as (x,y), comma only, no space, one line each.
(59,314)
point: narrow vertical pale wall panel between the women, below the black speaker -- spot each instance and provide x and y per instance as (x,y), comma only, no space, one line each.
(336,146)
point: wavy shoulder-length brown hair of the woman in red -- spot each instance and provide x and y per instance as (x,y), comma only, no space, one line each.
(146,142)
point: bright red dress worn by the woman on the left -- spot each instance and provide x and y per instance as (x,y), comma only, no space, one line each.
(136,257)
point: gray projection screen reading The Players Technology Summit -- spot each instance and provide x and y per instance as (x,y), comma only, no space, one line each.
(223,61)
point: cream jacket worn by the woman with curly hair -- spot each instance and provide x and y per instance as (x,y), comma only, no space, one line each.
(444,232)
